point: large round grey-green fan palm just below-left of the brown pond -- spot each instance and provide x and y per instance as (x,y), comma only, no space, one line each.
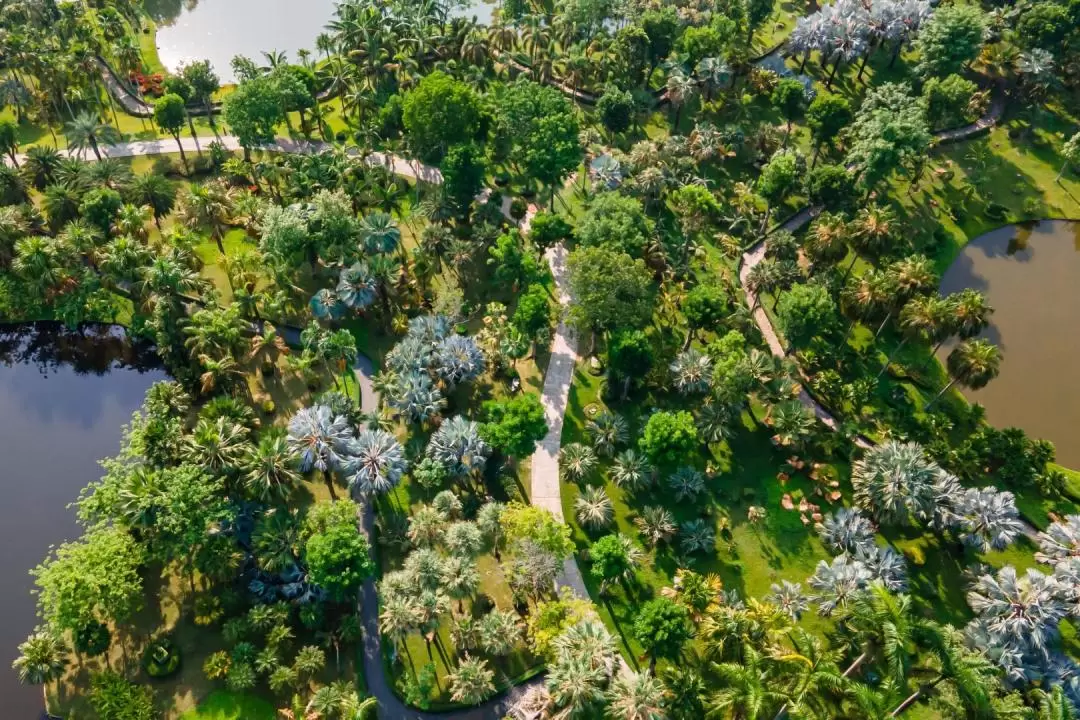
(896,483)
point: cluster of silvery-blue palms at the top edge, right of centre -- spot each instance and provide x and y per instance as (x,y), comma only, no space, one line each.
(846,31)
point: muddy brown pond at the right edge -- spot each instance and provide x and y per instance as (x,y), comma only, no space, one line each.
(1031,276)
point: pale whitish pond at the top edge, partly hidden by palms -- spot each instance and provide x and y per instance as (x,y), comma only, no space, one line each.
(220,30)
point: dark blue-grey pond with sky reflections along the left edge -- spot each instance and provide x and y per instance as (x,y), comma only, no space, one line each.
(64,399)
